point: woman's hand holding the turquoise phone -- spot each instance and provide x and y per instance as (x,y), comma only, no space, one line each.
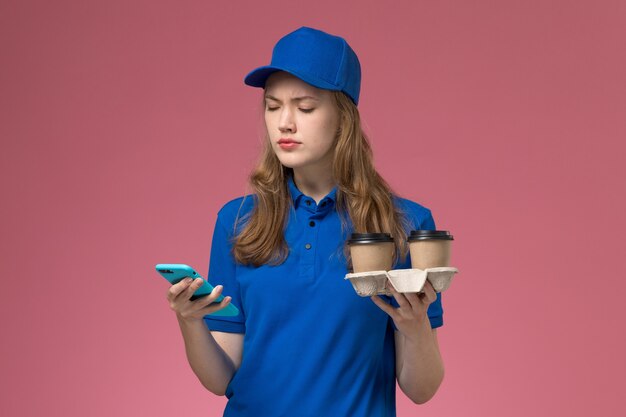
(179,296)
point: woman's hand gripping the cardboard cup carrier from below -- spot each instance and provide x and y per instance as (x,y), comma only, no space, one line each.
(412,308)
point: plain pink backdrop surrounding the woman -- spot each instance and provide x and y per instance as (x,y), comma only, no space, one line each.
(125,125)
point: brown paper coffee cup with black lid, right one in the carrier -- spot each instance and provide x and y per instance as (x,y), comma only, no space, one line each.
(430,248)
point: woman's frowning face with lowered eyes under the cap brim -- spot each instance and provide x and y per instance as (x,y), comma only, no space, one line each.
(301,121)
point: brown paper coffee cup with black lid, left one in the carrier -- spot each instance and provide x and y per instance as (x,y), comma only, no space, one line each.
(371,251)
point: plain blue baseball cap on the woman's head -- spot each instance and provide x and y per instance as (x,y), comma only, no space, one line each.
(317,58)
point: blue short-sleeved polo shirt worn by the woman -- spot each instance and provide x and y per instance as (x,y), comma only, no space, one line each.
(312,346)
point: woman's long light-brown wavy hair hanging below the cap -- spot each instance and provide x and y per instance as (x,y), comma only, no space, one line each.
(363,197)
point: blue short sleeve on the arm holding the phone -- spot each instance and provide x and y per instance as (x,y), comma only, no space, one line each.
(222,271)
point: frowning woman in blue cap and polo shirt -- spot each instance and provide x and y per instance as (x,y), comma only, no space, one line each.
(304,343)
